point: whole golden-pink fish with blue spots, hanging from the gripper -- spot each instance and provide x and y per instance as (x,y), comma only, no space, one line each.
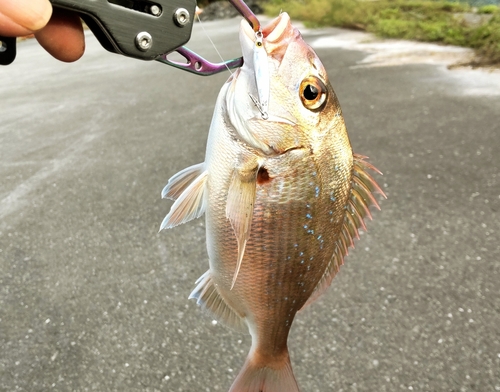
(283,194)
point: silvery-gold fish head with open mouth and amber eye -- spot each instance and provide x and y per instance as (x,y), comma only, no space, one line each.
(281,98)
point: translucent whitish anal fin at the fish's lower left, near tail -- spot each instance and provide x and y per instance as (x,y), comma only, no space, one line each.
(209,298)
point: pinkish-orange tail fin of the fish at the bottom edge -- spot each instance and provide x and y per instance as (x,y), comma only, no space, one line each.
(254,378)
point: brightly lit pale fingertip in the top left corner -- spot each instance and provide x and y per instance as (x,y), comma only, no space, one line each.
(31,15)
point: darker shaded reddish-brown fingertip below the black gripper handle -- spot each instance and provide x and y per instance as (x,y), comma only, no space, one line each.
(63,36)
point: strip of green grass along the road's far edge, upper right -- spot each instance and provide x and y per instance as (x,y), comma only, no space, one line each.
(430,21)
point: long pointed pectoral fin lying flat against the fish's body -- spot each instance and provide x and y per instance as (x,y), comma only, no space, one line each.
(239,209)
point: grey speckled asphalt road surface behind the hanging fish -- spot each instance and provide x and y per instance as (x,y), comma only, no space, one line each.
(92,298)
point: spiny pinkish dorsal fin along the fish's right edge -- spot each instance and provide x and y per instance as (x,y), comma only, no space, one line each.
(357,209)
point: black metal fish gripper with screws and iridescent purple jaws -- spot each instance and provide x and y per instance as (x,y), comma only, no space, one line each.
(143,29)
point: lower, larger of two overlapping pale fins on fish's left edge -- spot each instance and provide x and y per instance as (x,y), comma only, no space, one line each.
(190,204)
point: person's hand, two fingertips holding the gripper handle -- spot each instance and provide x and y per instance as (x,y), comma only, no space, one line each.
(59,32)
